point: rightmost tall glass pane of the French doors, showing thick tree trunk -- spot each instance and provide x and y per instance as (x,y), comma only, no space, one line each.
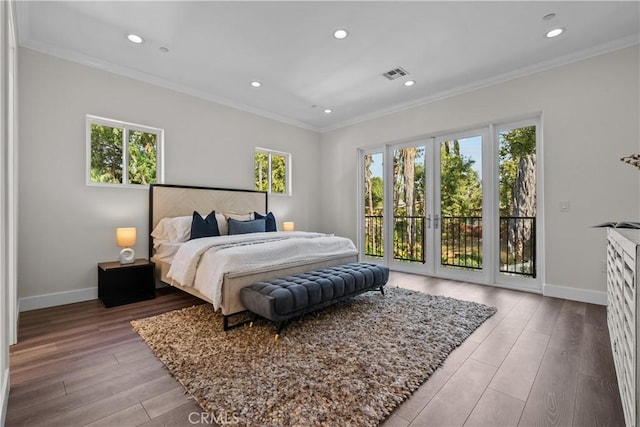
(517,172)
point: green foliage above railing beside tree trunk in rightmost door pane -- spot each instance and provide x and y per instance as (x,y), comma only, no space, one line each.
(514,145)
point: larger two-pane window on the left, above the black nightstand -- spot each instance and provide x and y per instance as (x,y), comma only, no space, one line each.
(120,153)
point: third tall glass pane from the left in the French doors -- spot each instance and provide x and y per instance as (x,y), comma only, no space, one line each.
(461,203)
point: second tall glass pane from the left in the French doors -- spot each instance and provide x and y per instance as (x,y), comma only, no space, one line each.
(408,204)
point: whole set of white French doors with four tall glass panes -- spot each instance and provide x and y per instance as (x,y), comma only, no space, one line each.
(454,206)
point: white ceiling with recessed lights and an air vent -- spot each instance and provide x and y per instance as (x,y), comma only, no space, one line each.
(215,49)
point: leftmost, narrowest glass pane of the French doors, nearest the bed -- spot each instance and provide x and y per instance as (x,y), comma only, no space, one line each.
(373,205)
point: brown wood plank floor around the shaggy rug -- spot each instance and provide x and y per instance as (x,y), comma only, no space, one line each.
(539,361)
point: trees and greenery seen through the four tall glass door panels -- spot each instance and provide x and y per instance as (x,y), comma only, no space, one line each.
(460,204)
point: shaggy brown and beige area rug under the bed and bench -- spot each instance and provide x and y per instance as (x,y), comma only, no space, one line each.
(349,364)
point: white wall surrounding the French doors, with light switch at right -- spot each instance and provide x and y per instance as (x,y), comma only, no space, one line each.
(590,113)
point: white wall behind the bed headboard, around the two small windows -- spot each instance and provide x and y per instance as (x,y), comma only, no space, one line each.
(67,227)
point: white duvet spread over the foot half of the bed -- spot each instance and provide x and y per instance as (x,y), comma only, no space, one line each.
(202,263)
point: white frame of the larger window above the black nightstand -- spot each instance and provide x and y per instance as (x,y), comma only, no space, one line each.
(126,127)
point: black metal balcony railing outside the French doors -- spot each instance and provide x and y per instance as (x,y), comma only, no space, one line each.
(461,242)
